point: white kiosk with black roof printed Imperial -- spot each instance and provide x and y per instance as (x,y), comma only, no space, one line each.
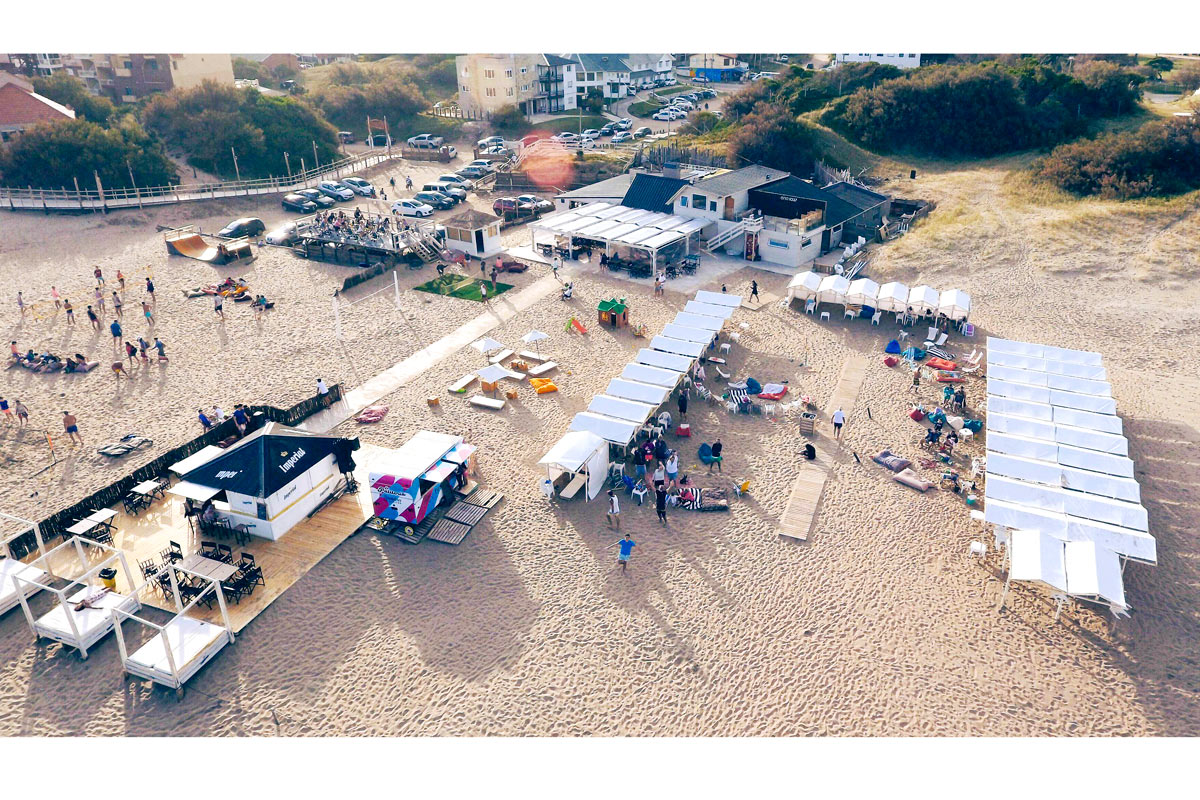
(273,479)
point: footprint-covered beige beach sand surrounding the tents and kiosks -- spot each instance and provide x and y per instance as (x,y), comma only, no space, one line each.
(879,625)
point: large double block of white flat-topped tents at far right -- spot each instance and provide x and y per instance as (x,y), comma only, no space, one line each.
(1061,490)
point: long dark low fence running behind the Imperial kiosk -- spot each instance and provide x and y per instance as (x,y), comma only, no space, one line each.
(260,416)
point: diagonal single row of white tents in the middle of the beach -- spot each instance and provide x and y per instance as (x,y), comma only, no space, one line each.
(631,401)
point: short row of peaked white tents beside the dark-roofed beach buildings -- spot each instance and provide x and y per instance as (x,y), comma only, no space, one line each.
(892,297)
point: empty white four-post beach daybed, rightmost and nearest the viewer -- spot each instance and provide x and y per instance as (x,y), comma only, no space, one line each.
(182,646)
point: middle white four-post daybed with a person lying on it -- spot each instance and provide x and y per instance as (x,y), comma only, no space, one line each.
(83,610)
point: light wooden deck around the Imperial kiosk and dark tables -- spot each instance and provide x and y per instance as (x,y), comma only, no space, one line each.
(285,562)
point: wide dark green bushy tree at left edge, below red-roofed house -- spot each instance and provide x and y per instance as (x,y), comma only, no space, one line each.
(56,155)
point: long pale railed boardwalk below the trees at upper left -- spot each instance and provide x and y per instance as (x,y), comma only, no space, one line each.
(107,200)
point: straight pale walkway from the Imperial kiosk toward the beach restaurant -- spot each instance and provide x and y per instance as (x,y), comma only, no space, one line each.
(389,381)
